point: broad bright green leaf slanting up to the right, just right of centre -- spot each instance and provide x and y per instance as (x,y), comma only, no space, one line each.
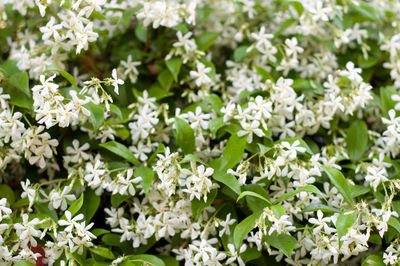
(232,154)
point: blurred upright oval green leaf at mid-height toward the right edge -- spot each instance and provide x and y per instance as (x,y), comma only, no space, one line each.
(357,140)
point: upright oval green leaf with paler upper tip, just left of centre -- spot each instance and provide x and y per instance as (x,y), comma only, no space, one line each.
(184,136)
